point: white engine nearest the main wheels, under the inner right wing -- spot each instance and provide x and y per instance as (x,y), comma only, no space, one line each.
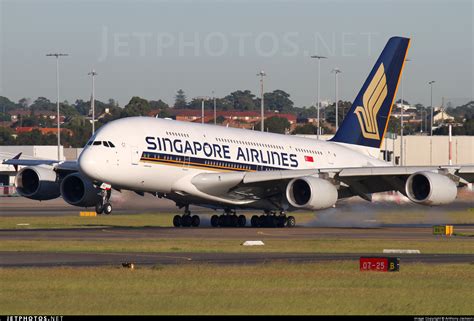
(311,193)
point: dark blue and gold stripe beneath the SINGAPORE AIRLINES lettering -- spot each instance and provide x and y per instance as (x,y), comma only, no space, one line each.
(203,163)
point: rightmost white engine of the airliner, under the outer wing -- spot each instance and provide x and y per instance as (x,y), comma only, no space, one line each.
(428,188)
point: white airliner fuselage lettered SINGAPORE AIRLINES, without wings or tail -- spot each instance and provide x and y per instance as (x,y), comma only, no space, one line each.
(154,155)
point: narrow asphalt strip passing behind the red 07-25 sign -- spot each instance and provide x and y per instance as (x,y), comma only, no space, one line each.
(37,259)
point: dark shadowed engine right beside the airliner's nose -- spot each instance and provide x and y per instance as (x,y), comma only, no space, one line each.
(78,190)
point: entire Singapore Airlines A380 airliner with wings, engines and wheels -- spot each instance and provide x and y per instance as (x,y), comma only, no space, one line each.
(231,169)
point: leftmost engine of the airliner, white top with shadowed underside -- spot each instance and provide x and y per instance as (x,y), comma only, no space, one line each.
(37,182)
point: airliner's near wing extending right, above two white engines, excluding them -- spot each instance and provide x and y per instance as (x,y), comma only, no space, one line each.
(245,186)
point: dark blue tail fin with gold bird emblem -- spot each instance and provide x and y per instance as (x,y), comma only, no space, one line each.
(367,120)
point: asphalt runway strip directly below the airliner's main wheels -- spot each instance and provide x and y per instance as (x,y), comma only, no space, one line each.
(117,233)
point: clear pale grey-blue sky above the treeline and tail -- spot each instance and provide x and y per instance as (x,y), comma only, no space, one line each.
(152,48)
